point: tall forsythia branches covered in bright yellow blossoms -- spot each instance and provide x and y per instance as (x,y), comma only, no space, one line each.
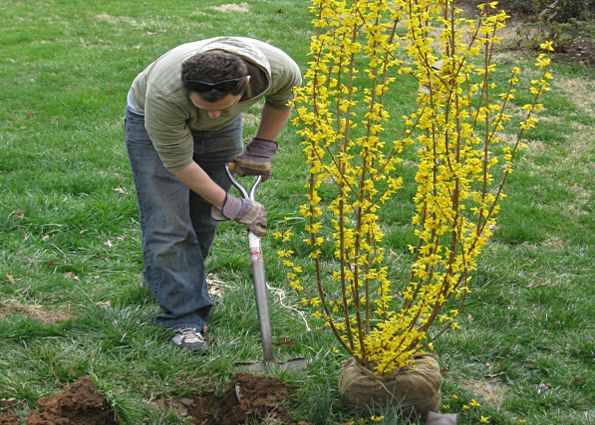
(361,51)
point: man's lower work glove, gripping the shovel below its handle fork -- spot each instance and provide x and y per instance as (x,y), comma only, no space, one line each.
(249,213)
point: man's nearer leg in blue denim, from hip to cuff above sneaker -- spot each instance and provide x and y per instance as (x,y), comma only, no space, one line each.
(174,263)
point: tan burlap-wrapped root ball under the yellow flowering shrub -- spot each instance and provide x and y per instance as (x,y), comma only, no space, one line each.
(415,388)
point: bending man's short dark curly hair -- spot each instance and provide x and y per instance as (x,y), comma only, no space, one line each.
(211,67)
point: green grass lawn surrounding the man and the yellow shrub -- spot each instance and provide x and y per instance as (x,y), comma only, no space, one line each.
(70,242)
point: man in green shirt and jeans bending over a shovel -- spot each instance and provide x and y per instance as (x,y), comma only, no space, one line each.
(183,124)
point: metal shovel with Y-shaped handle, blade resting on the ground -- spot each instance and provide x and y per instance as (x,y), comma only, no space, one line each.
(260,292)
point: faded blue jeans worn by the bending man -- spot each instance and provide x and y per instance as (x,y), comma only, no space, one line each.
(176,224)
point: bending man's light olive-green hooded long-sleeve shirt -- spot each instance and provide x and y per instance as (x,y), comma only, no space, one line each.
(158,94)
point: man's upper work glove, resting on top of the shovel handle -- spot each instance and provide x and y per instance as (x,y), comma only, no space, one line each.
(255,160)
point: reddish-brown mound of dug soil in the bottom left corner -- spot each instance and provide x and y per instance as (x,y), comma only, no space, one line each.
(79,404)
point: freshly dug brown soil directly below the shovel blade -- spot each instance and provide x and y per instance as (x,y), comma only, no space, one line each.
(247,399)
